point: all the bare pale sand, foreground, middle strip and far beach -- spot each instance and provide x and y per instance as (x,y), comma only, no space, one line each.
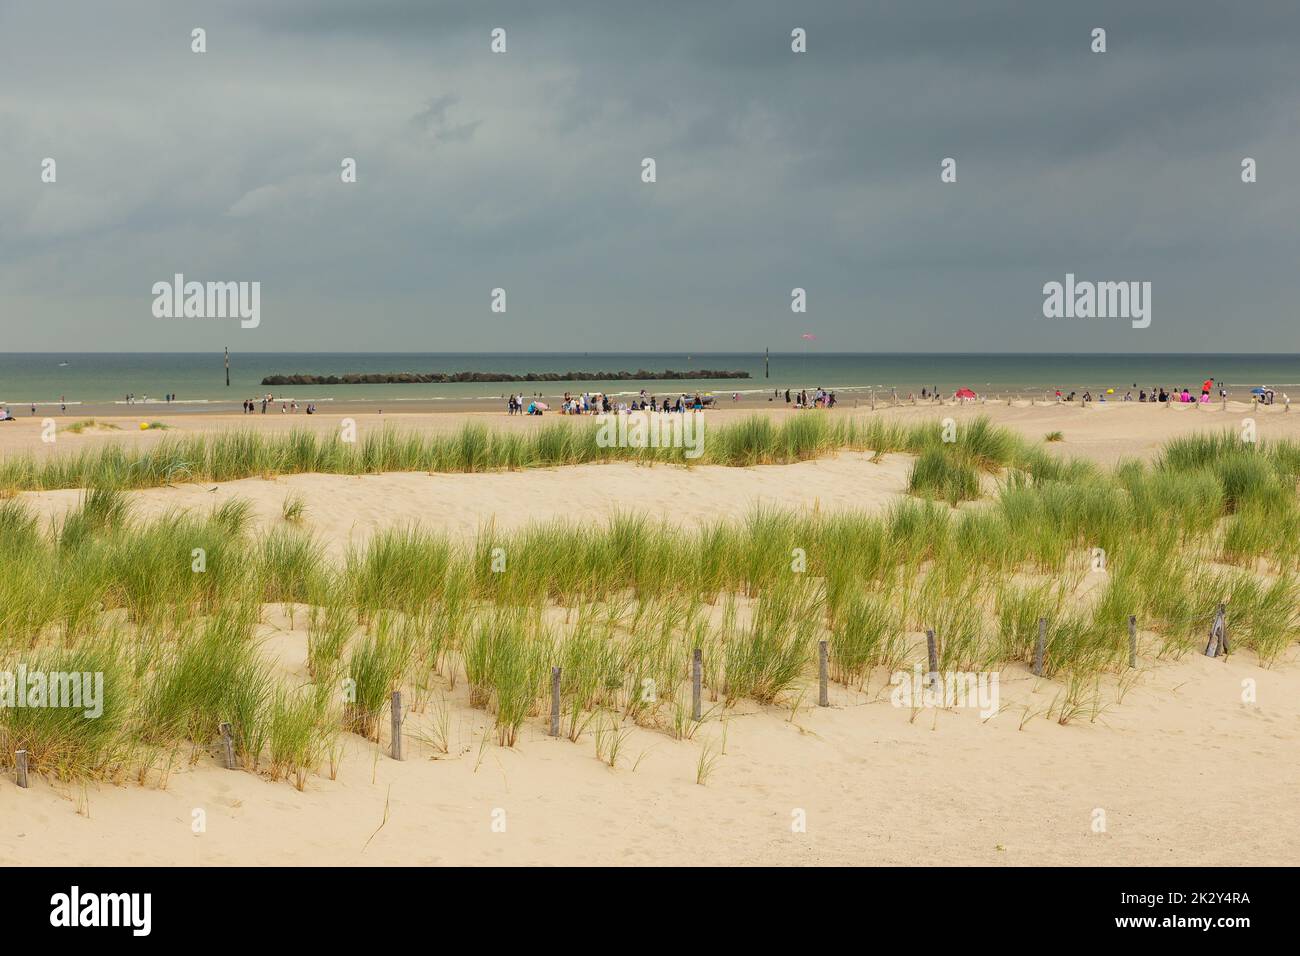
(1182,771)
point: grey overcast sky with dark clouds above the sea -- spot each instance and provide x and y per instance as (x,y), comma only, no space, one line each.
(775,170)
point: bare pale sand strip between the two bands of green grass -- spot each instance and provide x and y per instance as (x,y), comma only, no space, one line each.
(348,508)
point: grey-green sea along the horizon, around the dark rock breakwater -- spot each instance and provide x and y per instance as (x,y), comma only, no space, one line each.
(198,382)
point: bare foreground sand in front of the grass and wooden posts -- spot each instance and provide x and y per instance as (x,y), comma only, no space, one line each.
(1184,772)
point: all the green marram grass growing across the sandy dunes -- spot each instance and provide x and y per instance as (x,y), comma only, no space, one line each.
(622,607)
